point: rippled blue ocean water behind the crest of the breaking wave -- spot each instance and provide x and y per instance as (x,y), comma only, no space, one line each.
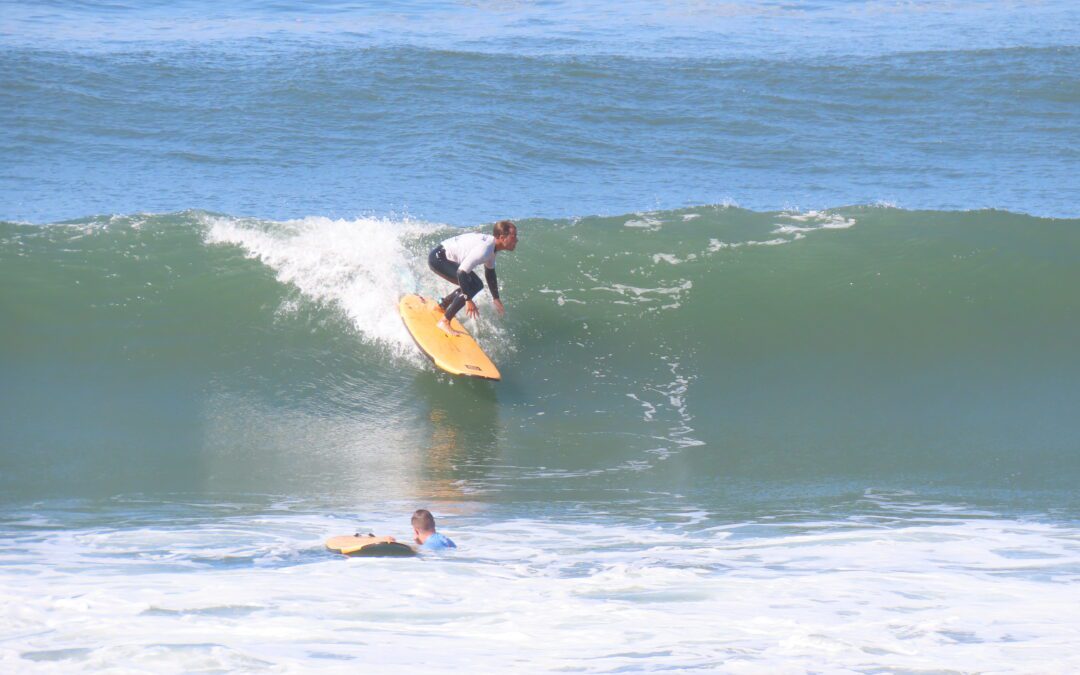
(553,110)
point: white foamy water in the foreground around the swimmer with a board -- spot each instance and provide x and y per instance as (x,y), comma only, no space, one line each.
(258,592)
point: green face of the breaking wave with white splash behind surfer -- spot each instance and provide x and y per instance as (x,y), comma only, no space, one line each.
(665,350)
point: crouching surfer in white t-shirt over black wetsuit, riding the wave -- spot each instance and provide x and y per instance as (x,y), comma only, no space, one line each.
(455,260)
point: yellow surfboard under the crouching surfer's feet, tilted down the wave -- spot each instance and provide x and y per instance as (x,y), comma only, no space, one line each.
(457,355)
